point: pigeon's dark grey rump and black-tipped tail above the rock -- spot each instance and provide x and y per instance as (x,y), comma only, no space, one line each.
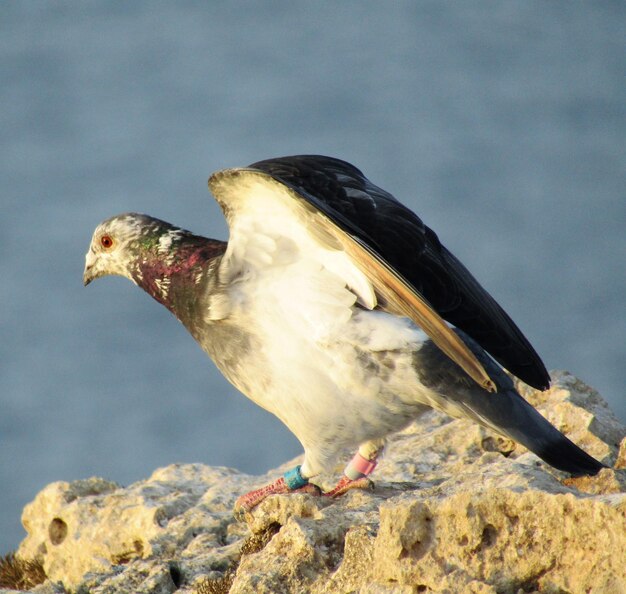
(509,414)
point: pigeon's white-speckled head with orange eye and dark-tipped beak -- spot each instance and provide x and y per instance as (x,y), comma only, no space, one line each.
(117,244)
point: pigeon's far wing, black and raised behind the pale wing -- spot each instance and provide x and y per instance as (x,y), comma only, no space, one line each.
(400,238)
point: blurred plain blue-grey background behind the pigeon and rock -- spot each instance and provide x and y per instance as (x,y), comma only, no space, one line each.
(501,124)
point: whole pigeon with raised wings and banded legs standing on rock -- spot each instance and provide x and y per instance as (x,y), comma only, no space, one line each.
(334,307)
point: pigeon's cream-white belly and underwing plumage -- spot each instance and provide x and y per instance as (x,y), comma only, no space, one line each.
(287,280)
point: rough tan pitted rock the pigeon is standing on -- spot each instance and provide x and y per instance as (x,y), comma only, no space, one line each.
(455,509)
